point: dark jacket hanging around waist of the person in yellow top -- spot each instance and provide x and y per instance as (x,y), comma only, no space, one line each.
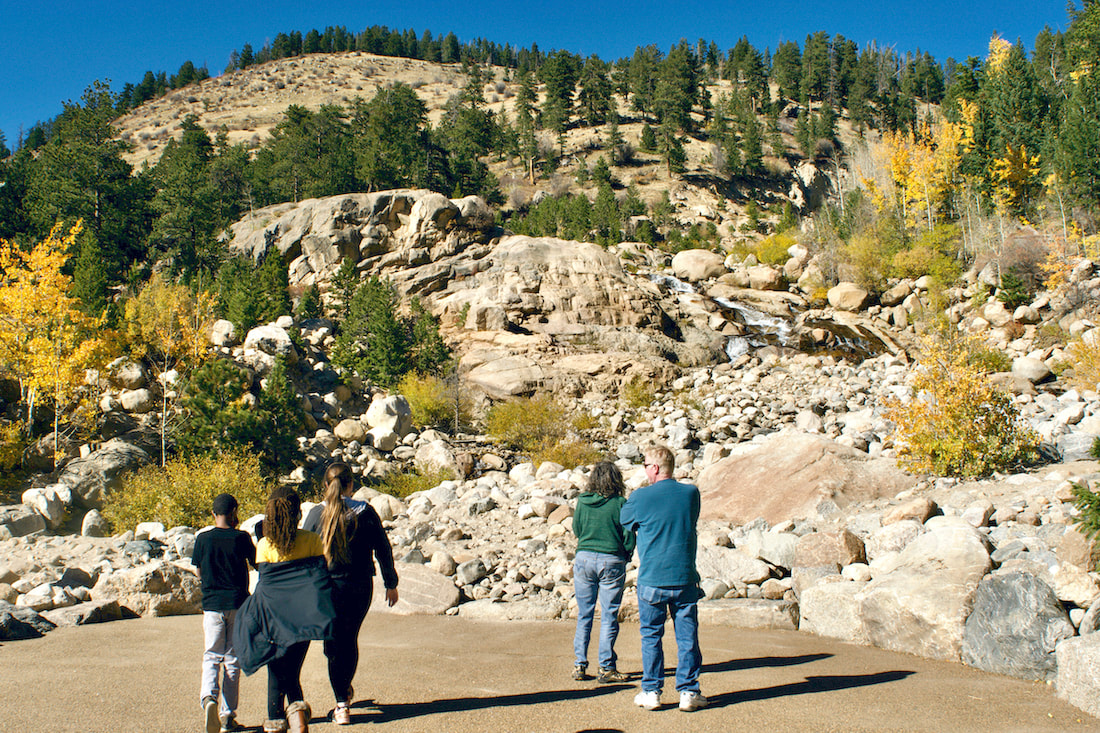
(293,603)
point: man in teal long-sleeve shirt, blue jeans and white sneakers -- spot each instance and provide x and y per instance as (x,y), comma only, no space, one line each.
(665,516)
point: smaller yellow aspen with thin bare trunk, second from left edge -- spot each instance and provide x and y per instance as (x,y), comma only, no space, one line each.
(169,325)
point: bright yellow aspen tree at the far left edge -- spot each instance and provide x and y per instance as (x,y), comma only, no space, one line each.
(46,341)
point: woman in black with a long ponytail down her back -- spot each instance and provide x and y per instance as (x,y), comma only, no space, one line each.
(353,537)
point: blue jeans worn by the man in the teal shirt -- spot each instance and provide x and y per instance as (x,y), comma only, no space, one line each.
(655,606)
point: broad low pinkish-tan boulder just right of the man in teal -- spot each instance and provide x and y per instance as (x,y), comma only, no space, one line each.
(790,476)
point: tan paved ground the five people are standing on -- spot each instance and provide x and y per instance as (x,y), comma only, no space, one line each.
(446,675)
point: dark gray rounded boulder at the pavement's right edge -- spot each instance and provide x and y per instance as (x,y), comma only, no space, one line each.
(1015,628)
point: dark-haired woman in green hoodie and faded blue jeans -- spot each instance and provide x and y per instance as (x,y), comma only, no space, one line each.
(603,550)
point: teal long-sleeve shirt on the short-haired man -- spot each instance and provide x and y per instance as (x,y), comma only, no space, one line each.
(665,517)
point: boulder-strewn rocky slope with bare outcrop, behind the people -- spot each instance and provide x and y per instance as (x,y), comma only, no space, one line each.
(773,402)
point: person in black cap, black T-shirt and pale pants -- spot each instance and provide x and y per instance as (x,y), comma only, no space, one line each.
(223,555)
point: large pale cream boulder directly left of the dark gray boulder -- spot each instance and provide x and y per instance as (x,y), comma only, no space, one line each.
(920,606)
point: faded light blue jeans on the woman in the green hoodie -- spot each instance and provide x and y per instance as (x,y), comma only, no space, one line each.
(604,576)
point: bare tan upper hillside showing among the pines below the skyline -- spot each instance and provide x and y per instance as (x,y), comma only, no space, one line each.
(249,104)
